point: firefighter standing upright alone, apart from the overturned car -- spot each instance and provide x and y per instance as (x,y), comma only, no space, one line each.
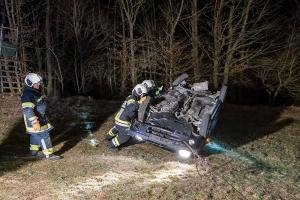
(36,122)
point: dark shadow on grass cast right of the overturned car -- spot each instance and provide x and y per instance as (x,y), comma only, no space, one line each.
(239,125)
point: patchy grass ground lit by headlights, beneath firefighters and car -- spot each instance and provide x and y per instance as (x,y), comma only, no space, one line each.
(254,154)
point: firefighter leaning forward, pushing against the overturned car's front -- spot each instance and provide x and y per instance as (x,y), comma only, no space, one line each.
(118,135)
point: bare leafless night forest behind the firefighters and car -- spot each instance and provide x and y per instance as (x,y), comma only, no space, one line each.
(104,48)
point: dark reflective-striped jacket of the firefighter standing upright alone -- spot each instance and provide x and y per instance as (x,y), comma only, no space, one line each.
(34,106)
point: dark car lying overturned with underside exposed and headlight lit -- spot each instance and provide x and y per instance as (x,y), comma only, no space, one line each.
(182,119)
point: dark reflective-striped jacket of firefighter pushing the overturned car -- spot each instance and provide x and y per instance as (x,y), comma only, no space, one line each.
(128,112)
